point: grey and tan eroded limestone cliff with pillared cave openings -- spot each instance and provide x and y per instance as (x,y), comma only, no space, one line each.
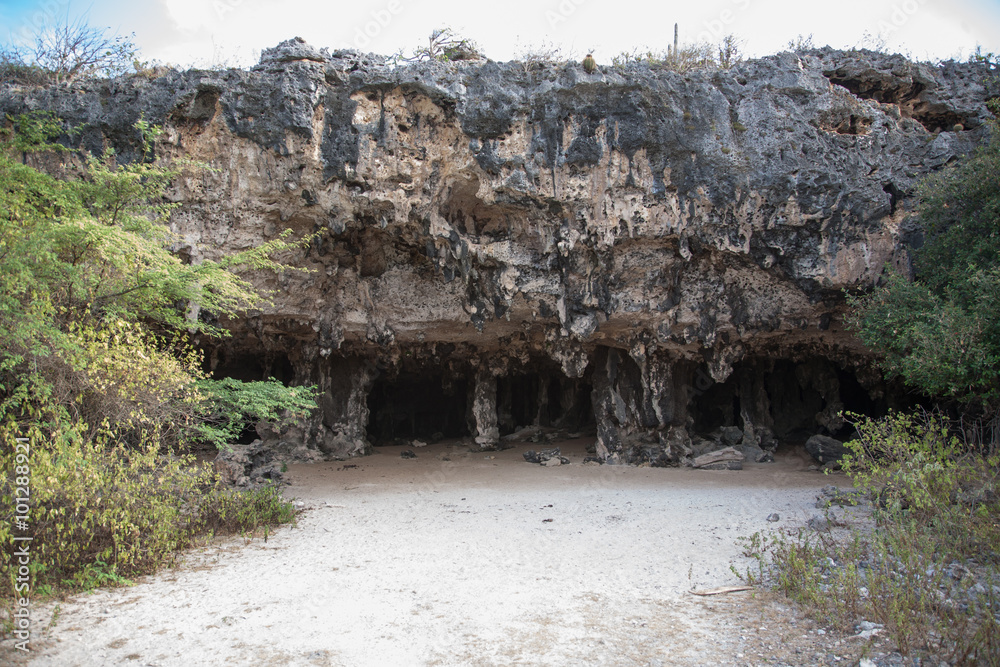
(494,246)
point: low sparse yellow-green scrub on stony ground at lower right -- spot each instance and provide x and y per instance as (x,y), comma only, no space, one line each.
(928,570)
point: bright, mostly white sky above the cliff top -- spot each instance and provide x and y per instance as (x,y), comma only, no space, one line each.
(232,32)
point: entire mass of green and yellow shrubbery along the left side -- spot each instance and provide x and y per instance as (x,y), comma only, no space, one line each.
(96,370)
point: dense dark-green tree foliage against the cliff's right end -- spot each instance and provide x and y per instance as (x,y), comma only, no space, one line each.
(941,332)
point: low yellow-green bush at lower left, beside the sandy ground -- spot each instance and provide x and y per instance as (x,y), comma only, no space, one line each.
(104,512)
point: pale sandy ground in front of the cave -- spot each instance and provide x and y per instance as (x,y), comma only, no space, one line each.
(456,558)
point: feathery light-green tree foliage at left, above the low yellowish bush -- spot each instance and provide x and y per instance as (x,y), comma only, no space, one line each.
(95,308)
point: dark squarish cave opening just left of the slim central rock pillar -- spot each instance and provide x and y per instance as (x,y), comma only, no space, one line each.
(422,406)
